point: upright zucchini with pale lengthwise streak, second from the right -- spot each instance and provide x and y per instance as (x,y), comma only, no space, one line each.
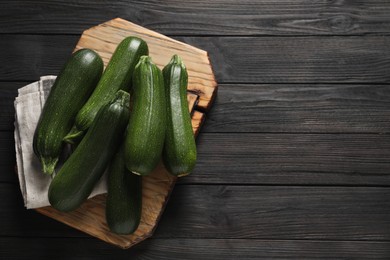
(146,131)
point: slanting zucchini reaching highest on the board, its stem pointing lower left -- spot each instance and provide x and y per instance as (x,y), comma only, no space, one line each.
(117,76)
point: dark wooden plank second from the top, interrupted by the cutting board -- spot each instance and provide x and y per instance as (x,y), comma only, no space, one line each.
(234,59)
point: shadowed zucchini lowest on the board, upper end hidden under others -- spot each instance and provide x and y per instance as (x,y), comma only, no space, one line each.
(124,197)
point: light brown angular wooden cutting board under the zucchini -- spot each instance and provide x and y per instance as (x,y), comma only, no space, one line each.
(202,88)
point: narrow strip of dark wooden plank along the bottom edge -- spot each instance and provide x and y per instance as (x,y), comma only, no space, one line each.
(213,249)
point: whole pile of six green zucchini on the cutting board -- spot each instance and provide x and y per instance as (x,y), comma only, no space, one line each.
(124,120)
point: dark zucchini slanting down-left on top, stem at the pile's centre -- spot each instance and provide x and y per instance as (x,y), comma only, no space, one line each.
(83,169)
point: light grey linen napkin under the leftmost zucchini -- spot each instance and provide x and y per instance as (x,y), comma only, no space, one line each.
(34,184)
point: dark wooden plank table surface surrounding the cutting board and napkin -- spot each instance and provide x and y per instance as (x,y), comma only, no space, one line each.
(294,158)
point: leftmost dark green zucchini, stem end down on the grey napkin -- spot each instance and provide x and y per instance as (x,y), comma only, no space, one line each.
(71,89)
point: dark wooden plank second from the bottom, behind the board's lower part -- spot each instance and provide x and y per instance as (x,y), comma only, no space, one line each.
(231,212)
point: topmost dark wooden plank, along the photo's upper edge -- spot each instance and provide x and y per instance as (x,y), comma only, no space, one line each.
(223,17)
